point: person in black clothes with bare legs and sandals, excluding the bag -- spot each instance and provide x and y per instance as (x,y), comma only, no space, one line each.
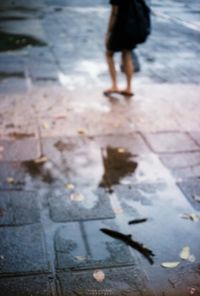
(116,42)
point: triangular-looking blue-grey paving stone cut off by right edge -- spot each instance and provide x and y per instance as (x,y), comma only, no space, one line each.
(191,188)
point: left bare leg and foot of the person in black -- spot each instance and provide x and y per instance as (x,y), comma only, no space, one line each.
(112,71)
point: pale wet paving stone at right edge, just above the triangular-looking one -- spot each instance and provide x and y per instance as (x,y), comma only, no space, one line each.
(183,165)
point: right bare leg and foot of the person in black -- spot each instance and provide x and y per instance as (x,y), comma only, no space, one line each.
(128,70)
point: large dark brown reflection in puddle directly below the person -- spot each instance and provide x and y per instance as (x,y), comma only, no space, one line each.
(116,166)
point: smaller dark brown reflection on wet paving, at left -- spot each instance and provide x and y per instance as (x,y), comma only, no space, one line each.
(37,170)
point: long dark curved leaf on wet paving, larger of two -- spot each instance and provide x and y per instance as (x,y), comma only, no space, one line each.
(147,253)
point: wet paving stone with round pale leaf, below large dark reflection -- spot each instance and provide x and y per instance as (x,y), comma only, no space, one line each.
(78,205)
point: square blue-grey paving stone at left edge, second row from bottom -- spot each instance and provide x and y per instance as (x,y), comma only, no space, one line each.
(22,249)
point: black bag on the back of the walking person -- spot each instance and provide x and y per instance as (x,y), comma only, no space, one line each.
(138,23)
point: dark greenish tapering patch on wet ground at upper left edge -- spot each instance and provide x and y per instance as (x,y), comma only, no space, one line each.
(11,42)
